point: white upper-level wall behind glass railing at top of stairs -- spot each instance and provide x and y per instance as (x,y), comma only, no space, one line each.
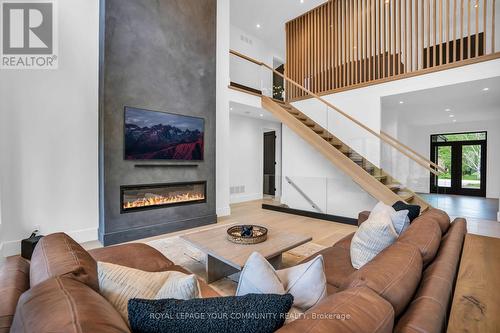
(249,74)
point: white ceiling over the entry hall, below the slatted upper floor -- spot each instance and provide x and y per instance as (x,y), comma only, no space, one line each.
(467,102)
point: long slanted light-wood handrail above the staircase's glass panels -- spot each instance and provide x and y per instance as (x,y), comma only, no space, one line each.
(354,120)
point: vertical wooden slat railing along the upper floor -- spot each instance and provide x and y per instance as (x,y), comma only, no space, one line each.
(346,44)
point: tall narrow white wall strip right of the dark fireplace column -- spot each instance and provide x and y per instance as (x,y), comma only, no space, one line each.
(222,113)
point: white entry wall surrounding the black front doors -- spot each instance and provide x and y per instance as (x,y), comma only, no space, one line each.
(418,137)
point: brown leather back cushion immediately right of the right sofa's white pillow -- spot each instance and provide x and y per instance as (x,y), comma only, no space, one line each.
(424,234)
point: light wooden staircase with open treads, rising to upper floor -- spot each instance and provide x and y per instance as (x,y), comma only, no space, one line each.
(372,179)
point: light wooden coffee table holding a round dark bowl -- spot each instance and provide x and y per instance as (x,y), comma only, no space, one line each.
(225,258)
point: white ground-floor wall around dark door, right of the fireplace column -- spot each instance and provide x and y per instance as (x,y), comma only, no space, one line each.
(247,156)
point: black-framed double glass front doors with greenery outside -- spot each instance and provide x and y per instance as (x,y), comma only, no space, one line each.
(463,156)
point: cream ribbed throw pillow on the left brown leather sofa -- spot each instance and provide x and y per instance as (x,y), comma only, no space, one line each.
(118,284)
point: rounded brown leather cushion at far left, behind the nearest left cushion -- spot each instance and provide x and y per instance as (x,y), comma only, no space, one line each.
(59,255)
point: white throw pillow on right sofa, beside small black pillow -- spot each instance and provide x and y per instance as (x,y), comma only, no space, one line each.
(373,236)
